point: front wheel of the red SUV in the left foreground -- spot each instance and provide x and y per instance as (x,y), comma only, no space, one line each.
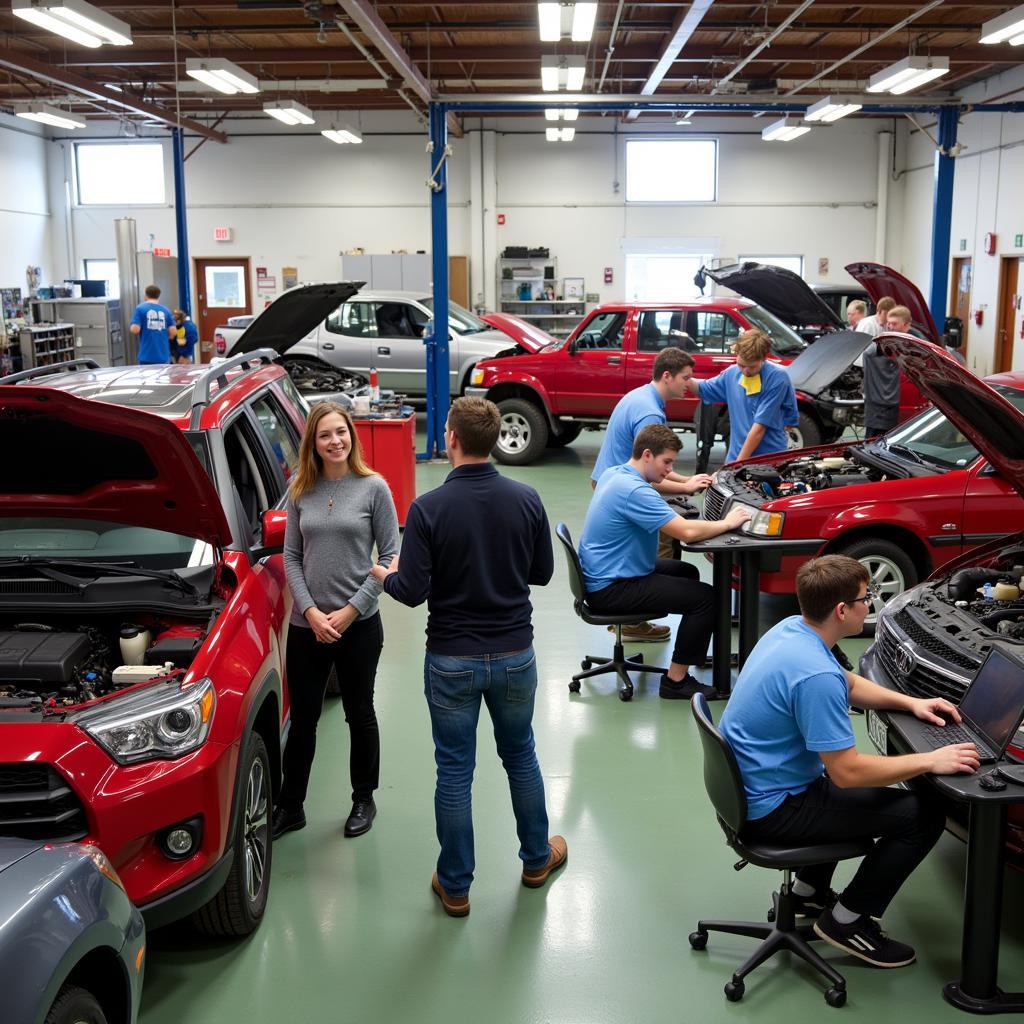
(239,908)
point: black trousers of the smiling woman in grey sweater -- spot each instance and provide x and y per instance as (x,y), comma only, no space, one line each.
(355,658)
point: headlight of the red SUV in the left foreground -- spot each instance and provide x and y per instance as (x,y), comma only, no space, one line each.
(161,723)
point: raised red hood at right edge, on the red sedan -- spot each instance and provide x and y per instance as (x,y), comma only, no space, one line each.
(993,425)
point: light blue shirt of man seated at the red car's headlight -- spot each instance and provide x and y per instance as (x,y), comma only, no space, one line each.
(620,534)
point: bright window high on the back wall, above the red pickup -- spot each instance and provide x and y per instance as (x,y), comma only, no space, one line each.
(677,170)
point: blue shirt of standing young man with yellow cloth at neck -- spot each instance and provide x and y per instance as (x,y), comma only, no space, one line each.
(775,406)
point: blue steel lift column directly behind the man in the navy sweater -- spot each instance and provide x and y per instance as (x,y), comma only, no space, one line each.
(438,367)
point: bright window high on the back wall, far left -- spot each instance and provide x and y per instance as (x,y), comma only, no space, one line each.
(120,174)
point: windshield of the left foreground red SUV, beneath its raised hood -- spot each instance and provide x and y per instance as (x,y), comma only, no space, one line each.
(96,540)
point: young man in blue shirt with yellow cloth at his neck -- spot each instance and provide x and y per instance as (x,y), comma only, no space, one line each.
(760,397)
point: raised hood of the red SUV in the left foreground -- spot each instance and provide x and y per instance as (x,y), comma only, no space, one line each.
(72,458)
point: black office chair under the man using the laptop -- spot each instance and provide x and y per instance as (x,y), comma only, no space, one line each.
(726,787)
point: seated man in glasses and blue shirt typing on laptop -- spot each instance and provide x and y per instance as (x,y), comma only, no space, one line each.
(788,723)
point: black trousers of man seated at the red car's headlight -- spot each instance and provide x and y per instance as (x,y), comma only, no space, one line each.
(674,588)
